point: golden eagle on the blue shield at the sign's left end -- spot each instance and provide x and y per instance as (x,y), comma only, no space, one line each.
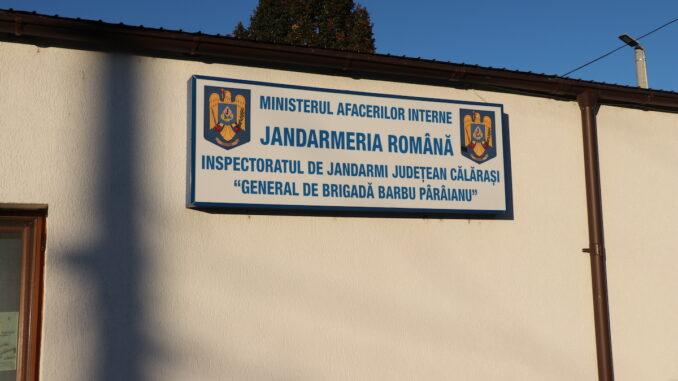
(227,117)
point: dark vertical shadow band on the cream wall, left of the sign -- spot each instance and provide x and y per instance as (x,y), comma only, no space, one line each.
(115,264)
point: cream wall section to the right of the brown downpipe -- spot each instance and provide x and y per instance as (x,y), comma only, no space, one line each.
(639,185)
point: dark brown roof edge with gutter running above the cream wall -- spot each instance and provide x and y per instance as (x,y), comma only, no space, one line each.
(34,28)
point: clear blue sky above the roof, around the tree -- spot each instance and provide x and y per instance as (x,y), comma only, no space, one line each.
(539,36)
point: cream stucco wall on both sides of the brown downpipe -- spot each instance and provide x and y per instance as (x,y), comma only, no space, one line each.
(138,287)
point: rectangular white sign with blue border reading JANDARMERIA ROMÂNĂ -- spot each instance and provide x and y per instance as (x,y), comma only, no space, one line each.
(267,145)
